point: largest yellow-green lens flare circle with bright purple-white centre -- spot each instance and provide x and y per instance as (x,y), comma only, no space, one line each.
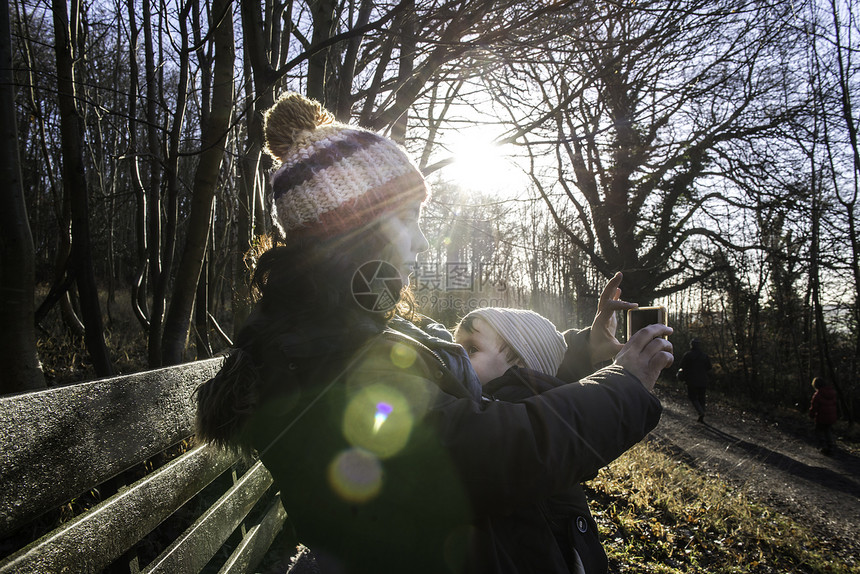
(378,419)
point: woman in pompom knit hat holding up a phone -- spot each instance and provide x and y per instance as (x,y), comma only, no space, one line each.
(370,418)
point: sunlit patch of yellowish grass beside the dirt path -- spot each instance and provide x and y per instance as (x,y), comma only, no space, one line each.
(659,515)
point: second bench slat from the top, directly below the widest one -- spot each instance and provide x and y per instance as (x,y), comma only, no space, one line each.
(96,538)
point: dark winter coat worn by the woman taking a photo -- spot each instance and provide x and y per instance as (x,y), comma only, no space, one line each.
(388,460)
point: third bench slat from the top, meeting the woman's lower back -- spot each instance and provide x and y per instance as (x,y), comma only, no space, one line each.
(193,550)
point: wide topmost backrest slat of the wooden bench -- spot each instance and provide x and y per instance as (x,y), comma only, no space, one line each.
(59,443)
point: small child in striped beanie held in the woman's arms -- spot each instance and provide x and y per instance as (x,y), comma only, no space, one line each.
(513,352)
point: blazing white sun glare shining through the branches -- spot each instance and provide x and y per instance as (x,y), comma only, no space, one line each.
(481,165)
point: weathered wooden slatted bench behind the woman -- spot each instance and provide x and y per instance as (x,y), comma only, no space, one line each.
(194,509)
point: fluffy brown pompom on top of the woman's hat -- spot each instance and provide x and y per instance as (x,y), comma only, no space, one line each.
(291,115)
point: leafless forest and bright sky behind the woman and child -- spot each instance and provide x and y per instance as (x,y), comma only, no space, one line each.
(707,149)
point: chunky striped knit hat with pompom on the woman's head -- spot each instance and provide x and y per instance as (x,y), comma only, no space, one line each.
(332,178)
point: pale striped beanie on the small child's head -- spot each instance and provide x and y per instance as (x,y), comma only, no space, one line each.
(533,337)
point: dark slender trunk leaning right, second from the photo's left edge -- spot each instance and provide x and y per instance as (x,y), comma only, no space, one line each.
(71,134)
